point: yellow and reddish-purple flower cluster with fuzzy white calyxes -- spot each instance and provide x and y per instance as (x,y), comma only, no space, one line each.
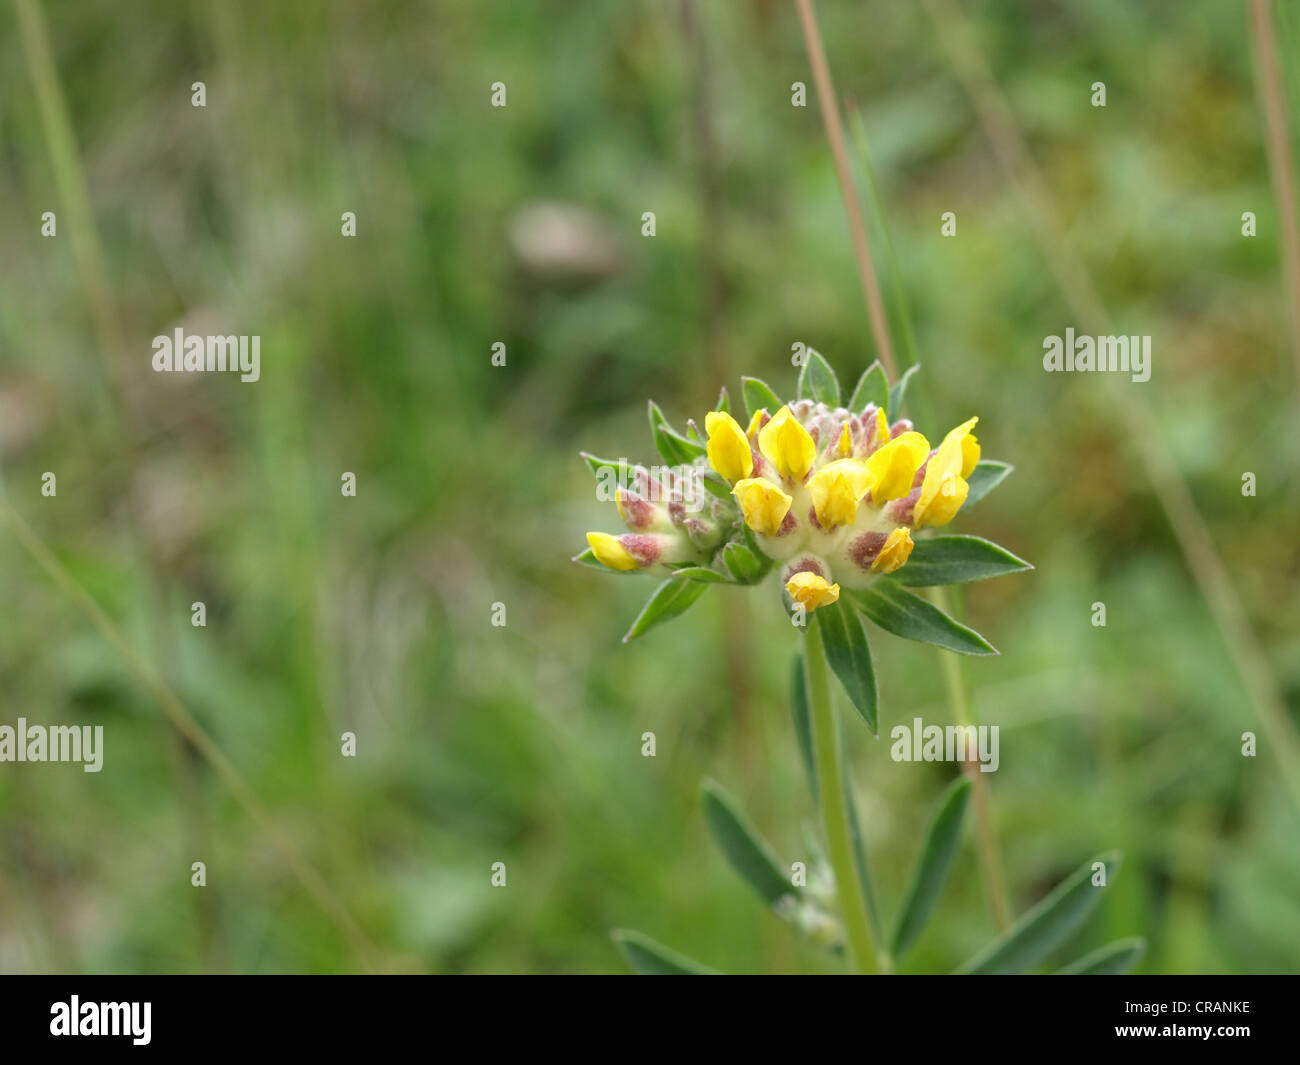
(829,493)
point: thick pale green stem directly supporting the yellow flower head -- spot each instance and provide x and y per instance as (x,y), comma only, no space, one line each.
(834,799)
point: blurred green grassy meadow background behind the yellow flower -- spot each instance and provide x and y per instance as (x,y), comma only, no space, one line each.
(523,226)
